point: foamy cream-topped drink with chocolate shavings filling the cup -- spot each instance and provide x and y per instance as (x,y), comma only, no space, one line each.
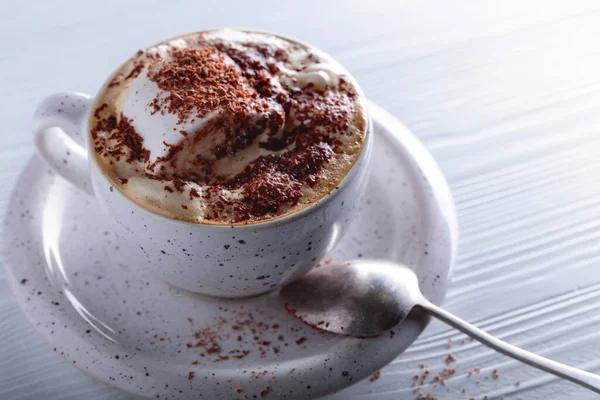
(228,126)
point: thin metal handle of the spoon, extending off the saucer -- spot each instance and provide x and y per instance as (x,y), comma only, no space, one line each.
(581,377)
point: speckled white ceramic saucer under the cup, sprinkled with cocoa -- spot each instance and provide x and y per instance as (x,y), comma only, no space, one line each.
(94,301)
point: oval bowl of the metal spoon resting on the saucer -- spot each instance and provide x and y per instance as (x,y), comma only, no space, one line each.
(360,299)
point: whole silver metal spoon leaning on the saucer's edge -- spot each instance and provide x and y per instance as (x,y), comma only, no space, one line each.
(366,298)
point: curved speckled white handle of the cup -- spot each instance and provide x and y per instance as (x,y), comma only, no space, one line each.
(59,123)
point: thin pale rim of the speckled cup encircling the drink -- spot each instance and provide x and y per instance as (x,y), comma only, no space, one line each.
(277,221)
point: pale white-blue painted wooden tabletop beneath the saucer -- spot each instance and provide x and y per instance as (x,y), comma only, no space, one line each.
(505,94)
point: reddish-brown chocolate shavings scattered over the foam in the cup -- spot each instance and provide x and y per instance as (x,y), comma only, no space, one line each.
(249,108)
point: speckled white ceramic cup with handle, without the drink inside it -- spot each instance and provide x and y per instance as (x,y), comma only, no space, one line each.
(217,260)
